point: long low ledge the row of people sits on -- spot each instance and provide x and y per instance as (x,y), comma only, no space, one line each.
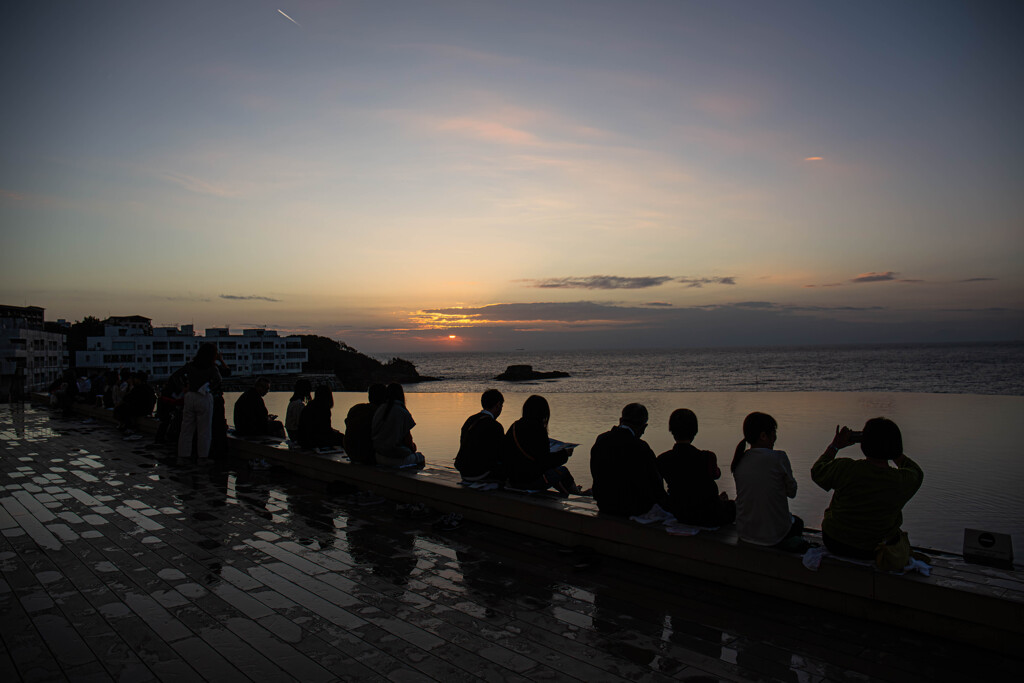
(964,603)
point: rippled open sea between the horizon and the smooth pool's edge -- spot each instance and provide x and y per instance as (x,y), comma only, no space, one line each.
(985,369)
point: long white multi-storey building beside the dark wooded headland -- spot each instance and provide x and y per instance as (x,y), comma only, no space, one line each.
(166,350)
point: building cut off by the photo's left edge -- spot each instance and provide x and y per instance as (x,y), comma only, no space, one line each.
(31,359)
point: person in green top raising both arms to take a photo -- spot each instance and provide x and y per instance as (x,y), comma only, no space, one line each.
(867,507)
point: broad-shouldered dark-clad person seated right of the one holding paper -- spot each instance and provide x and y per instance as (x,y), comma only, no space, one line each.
(626,479)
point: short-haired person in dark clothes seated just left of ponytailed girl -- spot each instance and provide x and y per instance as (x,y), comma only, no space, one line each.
(691,476)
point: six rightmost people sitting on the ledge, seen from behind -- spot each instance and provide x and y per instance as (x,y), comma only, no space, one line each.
(863,522)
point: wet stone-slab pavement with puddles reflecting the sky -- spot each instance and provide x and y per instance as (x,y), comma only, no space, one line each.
(117,563)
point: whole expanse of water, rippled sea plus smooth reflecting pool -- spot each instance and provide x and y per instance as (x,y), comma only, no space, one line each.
(966,442)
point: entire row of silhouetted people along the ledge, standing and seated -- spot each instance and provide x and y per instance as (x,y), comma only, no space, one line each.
(864,520)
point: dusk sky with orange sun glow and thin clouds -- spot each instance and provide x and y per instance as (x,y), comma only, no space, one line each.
(462,176)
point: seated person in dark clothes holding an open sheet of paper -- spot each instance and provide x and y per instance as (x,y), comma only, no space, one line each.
(527,453)
